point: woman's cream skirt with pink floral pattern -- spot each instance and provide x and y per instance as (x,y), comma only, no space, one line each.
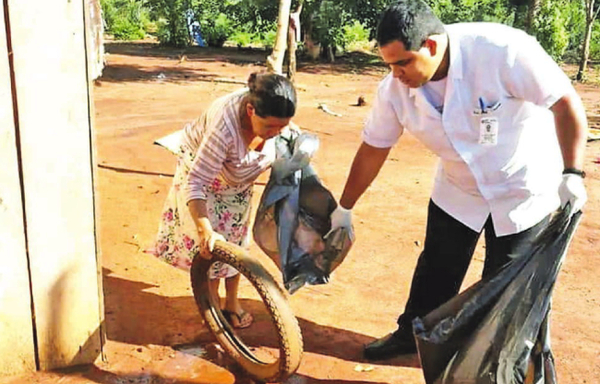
(228,211)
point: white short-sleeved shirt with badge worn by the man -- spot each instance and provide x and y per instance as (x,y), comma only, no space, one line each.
(514,180)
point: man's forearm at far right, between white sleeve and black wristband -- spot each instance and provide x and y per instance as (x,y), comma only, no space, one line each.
(571,129)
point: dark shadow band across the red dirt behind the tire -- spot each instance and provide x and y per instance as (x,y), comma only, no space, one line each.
(176,321)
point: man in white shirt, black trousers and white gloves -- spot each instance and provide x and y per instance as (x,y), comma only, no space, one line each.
(505,122)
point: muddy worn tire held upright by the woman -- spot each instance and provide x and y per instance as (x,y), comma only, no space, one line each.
(275,300)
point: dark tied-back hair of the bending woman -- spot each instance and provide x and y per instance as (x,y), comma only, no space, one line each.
(272,95)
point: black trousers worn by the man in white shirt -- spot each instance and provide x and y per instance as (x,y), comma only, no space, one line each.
(449,247)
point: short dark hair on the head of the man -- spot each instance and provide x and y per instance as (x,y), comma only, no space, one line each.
(409,21)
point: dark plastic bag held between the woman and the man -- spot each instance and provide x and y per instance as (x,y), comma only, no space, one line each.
(294,216)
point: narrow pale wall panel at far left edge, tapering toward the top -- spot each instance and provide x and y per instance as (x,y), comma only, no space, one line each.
(16,327)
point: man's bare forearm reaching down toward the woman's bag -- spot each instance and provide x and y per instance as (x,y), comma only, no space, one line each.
(365,167)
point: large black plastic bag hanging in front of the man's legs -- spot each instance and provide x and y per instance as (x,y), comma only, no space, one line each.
(497,330)
